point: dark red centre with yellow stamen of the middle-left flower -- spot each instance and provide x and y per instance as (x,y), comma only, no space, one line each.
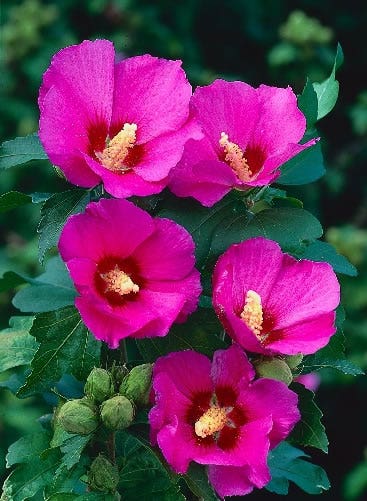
(117,280)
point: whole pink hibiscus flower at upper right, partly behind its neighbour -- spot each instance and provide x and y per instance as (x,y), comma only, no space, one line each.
(249,134)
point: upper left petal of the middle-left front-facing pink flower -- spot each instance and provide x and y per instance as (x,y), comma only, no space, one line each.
(112,227)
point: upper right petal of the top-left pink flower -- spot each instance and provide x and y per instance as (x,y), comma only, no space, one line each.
(152,93)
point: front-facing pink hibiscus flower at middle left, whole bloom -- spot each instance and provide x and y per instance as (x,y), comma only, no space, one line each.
(135,274)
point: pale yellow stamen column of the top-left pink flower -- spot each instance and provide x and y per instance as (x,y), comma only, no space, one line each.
(114,154)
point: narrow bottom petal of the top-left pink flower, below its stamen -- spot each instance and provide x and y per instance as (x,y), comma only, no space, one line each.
(124,185)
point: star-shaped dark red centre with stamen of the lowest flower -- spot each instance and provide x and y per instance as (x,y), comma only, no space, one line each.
(216,417)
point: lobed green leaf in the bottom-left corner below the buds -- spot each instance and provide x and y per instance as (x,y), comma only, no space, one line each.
(34,473)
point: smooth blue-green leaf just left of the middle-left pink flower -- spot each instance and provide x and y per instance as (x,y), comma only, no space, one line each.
(50,291)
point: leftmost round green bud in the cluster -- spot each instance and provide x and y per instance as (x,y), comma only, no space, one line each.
(78,416)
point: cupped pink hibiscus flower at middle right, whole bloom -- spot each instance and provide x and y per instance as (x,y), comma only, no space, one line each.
(270,303)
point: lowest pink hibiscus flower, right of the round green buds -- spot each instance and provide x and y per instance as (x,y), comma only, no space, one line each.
(216,415)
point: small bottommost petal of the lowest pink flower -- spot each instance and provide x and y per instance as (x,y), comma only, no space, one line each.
(230,480)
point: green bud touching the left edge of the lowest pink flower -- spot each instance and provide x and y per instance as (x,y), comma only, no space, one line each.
(136,385)
